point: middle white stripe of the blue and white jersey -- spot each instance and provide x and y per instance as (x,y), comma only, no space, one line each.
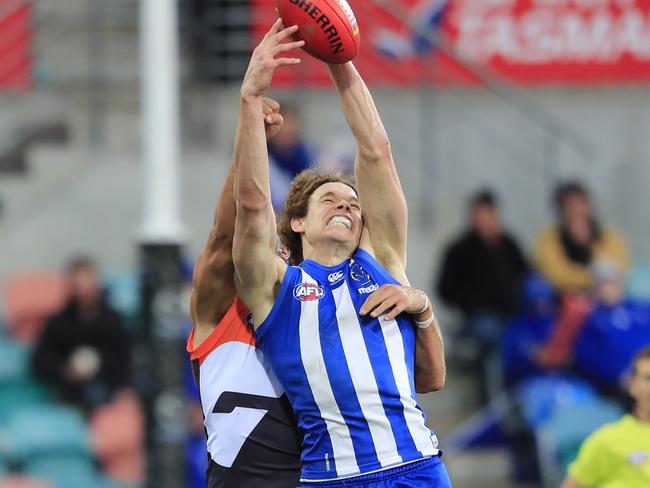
(363,378)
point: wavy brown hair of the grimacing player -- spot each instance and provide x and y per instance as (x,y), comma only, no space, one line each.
(297,204)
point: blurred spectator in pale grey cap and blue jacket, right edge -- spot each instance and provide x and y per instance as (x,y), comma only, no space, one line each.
(614,332)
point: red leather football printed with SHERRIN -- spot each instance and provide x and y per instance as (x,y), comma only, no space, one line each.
(328,27)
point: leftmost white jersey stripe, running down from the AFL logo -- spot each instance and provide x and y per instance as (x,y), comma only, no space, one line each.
(314,365)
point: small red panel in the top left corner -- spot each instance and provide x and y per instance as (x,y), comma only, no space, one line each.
(15,42)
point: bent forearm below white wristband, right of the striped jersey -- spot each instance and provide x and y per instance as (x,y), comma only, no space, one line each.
(430,369)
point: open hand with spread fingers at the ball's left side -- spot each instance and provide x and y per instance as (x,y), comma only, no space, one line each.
(264,62)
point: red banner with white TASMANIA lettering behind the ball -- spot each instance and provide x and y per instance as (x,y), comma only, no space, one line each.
(529,42)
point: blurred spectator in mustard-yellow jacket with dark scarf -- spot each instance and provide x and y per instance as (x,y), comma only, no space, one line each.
(566,250)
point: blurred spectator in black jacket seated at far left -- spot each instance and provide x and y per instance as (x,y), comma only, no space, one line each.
(84,349)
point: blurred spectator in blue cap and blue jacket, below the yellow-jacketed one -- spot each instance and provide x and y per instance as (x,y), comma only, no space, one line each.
(529,330)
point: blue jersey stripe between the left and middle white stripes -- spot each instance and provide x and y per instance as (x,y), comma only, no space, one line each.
(339,374)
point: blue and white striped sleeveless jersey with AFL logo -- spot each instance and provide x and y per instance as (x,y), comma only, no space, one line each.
(350,379)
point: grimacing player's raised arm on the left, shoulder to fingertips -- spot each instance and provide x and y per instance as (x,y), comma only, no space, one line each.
(257,268)
